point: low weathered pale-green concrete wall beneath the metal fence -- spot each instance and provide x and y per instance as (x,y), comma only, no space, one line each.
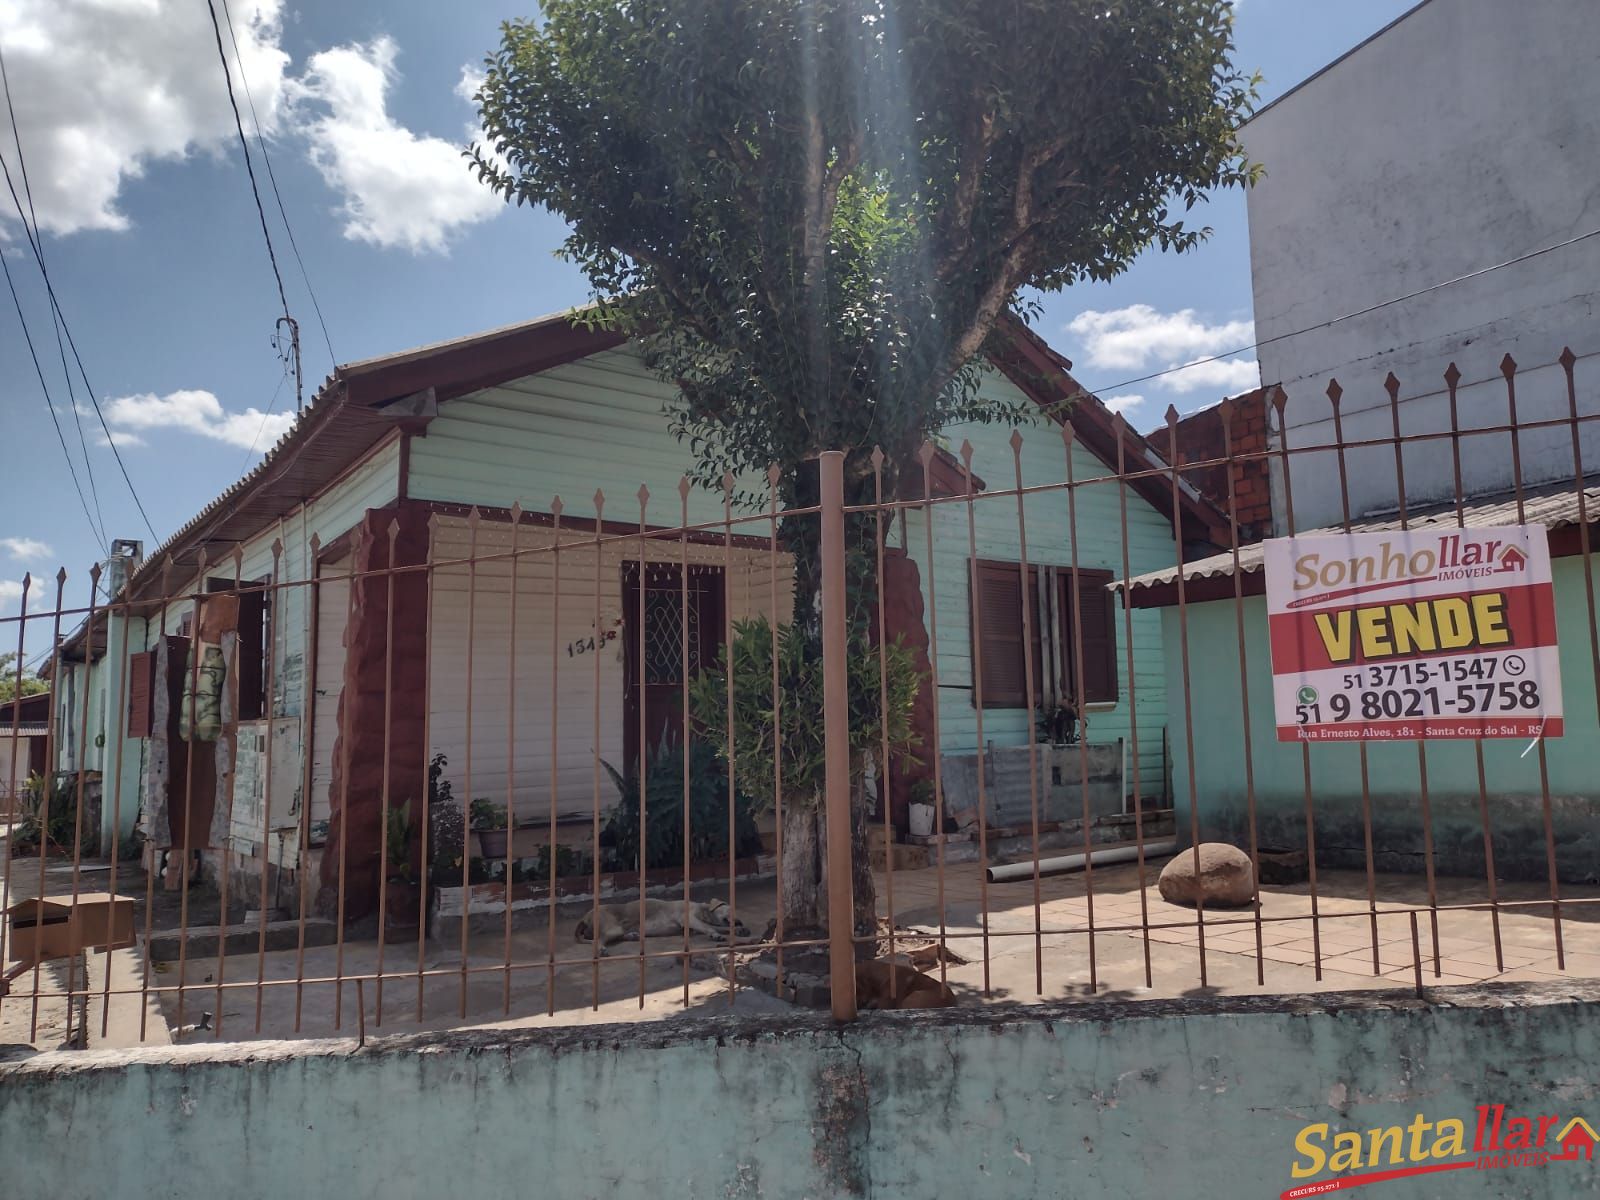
(1097,1100)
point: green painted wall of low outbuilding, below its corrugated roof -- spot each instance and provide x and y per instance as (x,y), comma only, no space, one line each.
(1394,782)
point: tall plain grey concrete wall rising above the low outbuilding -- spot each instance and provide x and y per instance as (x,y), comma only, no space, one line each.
(1460,138)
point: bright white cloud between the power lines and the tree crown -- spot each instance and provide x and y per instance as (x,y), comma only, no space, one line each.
(401,190)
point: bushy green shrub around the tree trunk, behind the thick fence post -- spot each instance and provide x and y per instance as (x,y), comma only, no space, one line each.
(798,714)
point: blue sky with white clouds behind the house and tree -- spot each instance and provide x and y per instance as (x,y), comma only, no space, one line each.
(151,238)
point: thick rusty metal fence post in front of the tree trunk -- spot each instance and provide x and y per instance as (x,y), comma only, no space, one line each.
(836,735)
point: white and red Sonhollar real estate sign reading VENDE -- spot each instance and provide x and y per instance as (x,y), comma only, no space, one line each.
(1442,633)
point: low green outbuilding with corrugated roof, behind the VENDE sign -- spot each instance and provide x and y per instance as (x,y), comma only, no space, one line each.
(1513,774)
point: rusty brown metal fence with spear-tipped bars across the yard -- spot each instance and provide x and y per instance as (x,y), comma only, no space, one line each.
(297,727)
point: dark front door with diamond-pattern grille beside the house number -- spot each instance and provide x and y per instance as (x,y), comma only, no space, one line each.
(657,654)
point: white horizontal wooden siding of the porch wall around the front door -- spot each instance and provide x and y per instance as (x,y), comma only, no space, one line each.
(514,684)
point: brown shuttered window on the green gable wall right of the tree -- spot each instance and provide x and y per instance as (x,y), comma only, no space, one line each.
(999,634)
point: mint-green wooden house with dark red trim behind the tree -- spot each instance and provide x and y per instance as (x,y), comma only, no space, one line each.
(345,692)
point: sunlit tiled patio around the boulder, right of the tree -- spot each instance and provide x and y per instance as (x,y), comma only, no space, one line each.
(1290,948)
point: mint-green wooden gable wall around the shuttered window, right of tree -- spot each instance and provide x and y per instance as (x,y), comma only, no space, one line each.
(1049,529)
